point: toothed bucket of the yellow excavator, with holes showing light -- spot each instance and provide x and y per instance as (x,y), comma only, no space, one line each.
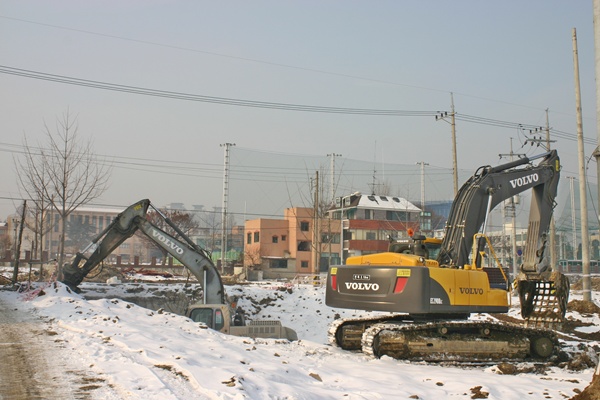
(544,301)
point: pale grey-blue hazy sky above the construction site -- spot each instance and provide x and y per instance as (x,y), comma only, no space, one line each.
(502,63)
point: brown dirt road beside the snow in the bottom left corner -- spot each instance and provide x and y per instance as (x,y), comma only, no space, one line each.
(33,363)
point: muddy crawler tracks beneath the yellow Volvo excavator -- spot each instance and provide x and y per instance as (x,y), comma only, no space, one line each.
(401,337)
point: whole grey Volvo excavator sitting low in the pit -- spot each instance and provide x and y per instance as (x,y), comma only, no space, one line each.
(214,311)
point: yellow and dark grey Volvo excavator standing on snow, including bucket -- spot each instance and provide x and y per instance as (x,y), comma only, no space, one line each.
(431,288)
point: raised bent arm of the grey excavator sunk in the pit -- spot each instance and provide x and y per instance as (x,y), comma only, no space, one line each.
(125,225)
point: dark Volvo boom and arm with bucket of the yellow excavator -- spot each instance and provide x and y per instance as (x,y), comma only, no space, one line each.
(543,292)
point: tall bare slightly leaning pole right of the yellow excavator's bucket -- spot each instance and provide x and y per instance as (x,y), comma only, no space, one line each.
(585,241)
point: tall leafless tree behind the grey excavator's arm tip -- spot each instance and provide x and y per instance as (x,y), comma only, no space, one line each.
(64,174)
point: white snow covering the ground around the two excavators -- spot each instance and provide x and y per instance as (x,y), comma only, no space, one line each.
(128,352)
